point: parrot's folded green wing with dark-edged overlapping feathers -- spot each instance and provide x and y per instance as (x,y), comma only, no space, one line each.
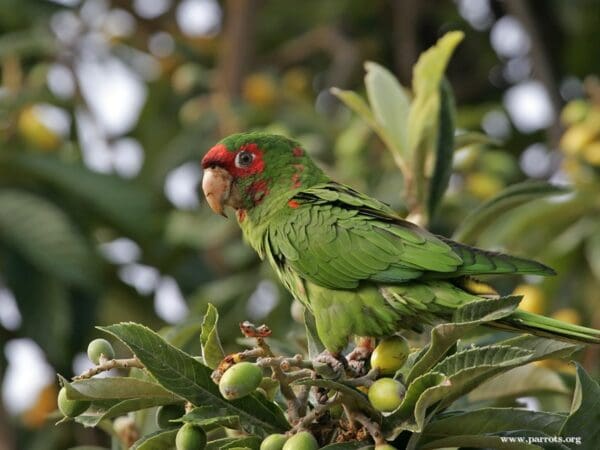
(337,237)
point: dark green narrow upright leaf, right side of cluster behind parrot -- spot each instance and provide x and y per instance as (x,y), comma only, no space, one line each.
(444,149)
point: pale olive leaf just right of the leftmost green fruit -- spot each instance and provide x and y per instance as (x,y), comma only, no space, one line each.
(114,388)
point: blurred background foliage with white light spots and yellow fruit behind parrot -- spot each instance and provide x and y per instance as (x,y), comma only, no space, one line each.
(107,106)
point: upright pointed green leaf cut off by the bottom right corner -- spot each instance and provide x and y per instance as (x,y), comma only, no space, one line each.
(585,412)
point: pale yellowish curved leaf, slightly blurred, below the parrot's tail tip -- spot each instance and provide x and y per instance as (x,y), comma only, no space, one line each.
(519,382)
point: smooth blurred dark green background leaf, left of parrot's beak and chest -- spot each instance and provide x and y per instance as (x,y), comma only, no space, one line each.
(120,202)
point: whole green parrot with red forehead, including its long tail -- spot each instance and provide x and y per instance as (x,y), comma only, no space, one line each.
(354,263)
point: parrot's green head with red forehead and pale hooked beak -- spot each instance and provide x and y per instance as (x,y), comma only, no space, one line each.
(246,170)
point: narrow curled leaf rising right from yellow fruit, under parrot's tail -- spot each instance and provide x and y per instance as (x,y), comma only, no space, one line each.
(467,317)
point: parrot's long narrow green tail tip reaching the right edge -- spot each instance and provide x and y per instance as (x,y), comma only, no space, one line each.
(548,327)
